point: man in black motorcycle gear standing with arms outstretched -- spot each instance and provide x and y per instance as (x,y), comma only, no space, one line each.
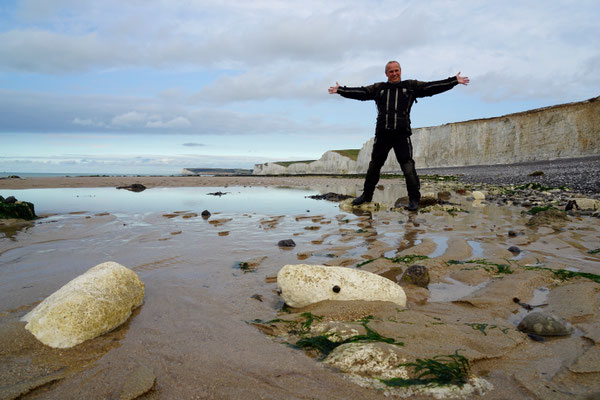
(394,100)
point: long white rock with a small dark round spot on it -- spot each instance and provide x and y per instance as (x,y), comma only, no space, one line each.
(304,284)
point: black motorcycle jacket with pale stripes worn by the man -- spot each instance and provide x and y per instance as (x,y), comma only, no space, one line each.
(394,100)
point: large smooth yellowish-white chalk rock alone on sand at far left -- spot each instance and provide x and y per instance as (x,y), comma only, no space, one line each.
(88,306)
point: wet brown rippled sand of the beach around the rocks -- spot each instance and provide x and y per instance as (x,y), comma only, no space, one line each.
(195,330)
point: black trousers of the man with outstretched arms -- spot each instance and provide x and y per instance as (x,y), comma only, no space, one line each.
(399,141)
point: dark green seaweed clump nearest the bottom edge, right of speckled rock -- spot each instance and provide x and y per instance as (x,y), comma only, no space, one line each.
(450,369)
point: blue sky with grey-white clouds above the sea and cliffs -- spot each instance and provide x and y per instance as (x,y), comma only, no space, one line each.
(154,86)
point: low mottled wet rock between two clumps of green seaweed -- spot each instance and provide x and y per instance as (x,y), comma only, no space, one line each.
(381,360)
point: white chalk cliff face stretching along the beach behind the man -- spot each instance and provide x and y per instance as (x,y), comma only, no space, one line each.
(563,131)
